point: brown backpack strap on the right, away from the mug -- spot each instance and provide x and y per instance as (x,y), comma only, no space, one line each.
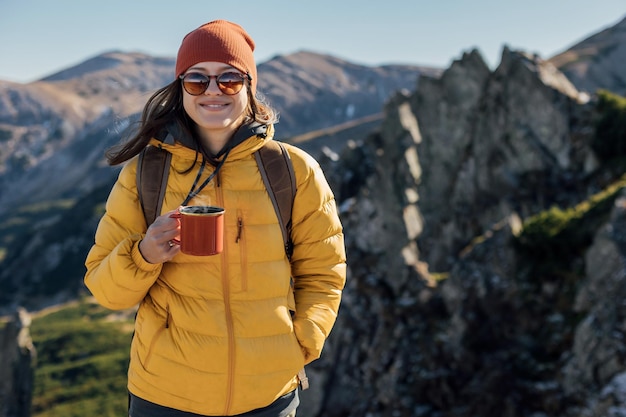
(279,179)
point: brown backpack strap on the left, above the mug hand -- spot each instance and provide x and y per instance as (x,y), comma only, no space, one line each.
(153,168)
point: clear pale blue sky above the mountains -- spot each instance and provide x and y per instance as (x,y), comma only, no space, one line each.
(40,37)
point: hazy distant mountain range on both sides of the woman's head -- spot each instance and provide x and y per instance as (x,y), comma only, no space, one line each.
(59,127)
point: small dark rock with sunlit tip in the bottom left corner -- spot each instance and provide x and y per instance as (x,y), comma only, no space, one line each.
(18,358)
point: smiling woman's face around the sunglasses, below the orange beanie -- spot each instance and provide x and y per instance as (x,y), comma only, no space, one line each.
(216,114)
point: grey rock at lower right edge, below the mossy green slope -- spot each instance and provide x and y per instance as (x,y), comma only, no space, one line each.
(598,356)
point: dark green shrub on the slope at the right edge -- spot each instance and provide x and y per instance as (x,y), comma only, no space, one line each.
(610,127)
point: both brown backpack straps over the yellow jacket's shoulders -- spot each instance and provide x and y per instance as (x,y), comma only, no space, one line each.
(276,171)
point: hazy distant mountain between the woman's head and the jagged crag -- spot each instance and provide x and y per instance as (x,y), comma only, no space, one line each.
(315,91)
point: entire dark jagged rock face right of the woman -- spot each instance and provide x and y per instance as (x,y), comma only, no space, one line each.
(442,189)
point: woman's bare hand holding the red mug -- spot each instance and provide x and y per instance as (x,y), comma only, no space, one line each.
(157,246)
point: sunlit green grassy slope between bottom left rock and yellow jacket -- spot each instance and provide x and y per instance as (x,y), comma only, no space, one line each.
(82,359)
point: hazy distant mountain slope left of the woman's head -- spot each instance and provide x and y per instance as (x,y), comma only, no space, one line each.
(58,129)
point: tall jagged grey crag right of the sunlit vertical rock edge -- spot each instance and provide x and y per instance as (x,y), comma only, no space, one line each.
(495,143)
